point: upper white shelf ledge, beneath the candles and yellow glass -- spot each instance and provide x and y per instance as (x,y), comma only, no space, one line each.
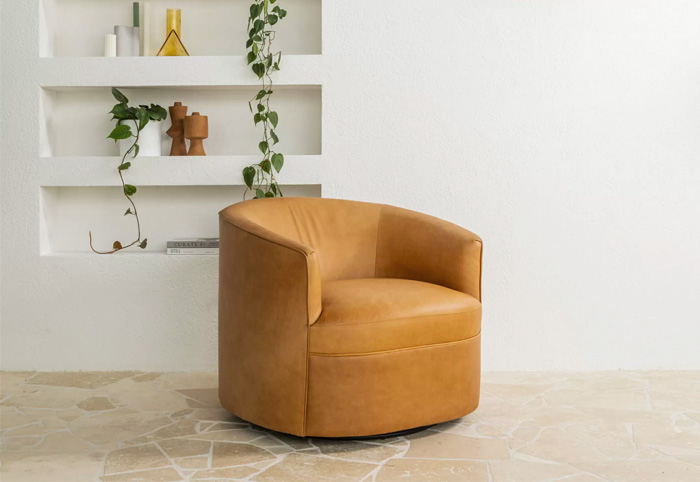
(60,73)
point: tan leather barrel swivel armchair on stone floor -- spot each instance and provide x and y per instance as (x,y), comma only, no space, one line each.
(345,319)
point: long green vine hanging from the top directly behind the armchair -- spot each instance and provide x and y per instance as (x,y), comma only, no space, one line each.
(260,178)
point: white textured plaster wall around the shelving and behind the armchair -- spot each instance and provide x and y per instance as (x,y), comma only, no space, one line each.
(566,134)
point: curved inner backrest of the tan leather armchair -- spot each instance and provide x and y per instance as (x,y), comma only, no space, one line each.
(343,233)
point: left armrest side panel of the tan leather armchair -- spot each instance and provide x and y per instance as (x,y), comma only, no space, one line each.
(269,293)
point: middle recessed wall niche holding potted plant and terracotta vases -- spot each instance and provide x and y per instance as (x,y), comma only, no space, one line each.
(76,123)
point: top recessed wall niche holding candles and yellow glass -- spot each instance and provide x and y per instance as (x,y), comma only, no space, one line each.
(76,28)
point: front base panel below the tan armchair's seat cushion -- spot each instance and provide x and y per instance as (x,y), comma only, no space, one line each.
(379,393)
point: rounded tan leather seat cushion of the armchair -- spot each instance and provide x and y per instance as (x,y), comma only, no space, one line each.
(361,316)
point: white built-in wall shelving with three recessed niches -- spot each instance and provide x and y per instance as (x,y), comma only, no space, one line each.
(76,164)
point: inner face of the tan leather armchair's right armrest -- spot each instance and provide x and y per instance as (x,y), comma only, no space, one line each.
(416,246)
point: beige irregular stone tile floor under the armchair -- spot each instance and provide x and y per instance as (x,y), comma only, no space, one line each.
(115,427)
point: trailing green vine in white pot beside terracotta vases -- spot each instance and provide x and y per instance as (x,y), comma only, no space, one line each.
(140,117)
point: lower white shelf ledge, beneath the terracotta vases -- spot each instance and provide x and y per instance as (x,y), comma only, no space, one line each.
(172,171)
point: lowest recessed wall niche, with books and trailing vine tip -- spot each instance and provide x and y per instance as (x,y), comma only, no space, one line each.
(68,214)
